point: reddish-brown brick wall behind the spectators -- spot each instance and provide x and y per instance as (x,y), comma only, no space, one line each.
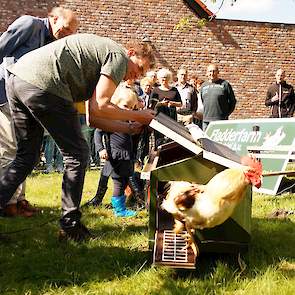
(248,53)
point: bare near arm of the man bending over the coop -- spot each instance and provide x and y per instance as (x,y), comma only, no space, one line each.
(99,106)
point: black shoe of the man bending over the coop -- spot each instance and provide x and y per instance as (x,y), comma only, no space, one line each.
(78,233)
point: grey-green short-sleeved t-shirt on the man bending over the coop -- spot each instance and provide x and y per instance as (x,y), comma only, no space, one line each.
(70,67)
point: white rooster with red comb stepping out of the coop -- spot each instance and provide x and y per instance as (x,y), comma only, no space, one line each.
(205,206)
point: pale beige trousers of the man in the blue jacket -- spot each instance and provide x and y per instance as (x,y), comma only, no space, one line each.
(8,148)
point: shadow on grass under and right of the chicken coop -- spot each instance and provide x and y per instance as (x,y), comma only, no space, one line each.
(272,245)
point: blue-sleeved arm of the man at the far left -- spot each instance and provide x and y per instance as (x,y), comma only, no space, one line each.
(16,35)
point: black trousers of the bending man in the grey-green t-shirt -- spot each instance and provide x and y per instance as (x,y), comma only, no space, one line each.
(32,109)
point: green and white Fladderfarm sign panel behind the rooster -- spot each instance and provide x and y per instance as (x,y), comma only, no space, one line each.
(272,140)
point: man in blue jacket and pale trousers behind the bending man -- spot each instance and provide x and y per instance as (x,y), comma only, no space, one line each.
(22,36)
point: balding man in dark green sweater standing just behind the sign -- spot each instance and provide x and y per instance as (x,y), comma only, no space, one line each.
(218,97)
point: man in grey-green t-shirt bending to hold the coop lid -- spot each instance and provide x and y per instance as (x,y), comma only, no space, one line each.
(42,88)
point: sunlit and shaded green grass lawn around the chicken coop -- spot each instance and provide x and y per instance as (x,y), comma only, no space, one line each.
(32,261)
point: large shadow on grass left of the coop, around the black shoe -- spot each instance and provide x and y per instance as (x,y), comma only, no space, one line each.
(34,259)
